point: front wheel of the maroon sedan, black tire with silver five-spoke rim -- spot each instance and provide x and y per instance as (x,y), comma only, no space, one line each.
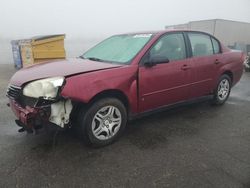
(103,122)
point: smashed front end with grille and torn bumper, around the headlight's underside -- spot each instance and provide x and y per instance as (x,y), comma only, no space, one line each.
(34,113)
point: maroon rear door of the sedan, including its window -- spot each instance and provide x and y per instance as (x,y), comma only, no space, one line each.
(205,64)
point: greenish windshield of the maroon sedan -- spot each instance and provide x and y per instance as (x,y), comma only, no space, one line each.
(118,49)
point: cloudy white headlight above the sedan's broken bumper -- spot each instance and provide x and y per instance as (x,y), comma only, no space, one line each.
(46,88)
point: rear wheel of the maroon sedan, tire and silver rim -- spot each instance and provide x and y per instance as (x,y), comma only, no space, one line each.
(222,90)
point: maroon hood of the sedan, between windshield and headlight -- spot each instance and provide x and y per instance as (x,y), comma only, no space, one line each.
(58,68)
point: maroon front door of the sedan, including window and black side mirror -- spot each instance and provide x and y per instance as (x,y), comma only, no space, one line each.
(164,73)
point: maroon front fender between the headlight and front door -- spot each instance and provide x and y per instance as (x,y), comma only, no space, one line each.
(94,83)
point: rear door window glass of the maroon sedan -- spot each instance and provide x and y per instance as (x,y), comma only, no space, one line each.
(201,44)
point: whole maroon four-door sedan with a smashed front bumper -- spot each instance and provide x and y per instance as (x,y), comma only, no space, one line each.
(123,77)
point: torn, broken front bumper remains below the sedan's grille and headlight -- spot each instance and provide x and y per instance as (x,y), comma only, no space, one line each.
(33,118)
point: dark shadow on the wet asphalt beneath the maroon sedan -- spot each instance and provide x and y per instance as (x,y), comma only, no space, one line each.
(144,133)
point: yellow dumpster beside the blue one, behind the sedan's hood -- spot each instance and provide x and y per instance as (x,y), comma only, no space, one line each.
(42,48)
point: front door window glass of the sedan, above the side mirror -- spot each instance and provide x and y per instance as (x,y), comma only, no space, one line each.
(170,46)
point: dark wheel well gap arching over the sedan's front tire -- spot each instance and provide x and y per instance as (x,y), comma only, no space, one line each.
(112,93)
